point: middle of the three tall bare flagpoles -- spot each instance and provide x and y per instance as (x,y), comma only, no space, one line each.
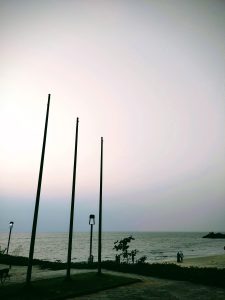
(72,206)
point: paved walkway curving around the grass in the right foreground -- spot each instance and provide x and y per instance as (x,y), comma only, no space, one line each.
(154,288)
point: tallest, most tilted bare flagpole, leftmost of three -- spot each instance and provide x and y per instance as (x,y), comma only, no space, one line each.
(33,234)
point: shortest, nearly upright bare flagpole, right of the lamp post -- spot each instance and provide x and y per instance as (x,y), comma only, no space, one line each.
(100,214)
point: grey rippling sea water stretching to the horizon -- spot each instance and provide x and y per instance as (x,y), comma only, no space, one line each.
(157,246)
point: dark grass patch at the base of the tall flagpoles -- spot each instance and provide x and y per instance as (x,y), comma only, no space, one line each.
(59,288)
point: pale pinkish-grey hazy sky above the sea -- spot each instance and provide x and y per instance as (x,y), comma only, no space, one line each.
(148,77)
